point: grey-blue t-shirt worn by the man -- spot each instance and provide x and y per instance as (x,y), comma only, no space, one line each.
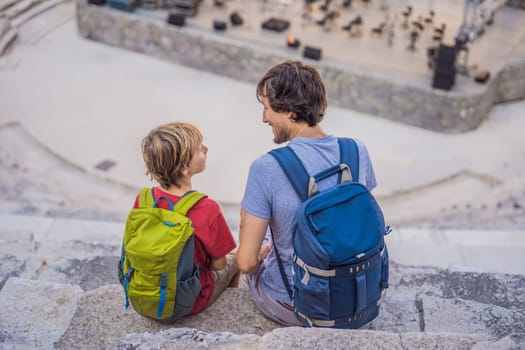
(269,195)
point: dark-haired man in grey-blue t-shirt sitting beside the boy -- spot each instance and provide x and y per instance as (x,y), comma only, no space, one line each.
(294,100)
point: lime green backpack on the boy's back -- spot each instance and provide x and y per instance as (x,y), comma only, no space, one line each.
(157,268)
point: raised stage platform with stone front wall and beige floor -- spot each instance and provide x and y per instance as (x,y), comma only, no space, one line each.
(368,72)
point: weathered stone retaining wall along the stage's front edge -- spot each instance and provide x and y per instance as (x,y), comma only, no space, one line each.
(446,111)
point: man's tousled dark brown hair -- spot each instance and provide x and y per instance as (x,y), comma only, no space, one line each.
(293,86)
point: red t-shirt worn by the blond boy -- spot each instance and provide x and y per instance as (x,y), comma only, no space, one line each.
(213,239)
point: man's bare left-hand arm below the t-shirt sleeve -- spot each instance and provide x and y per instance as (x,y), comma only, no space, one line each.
(251,235)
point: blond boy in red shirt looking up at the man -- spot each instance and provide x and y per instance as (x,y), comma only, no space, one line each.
(173,153)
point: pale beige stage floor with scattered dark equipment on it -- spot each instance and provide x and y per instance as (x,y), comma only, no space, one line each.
(370,52)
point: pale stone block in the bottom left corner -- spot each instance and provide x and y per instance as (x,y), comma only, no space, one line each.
(36,313)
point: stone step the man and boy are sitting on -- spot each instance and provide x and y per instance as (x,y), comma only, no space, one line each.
(62,316)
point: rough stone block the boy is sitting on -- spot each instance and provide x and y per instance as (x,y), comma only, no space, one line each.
(102,318)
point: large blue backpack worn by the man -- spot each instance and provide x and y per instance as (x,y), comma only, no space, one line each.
(339,257)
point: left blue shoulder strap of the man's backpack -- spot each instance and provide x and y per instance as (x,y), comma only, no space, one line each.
(294,170)
